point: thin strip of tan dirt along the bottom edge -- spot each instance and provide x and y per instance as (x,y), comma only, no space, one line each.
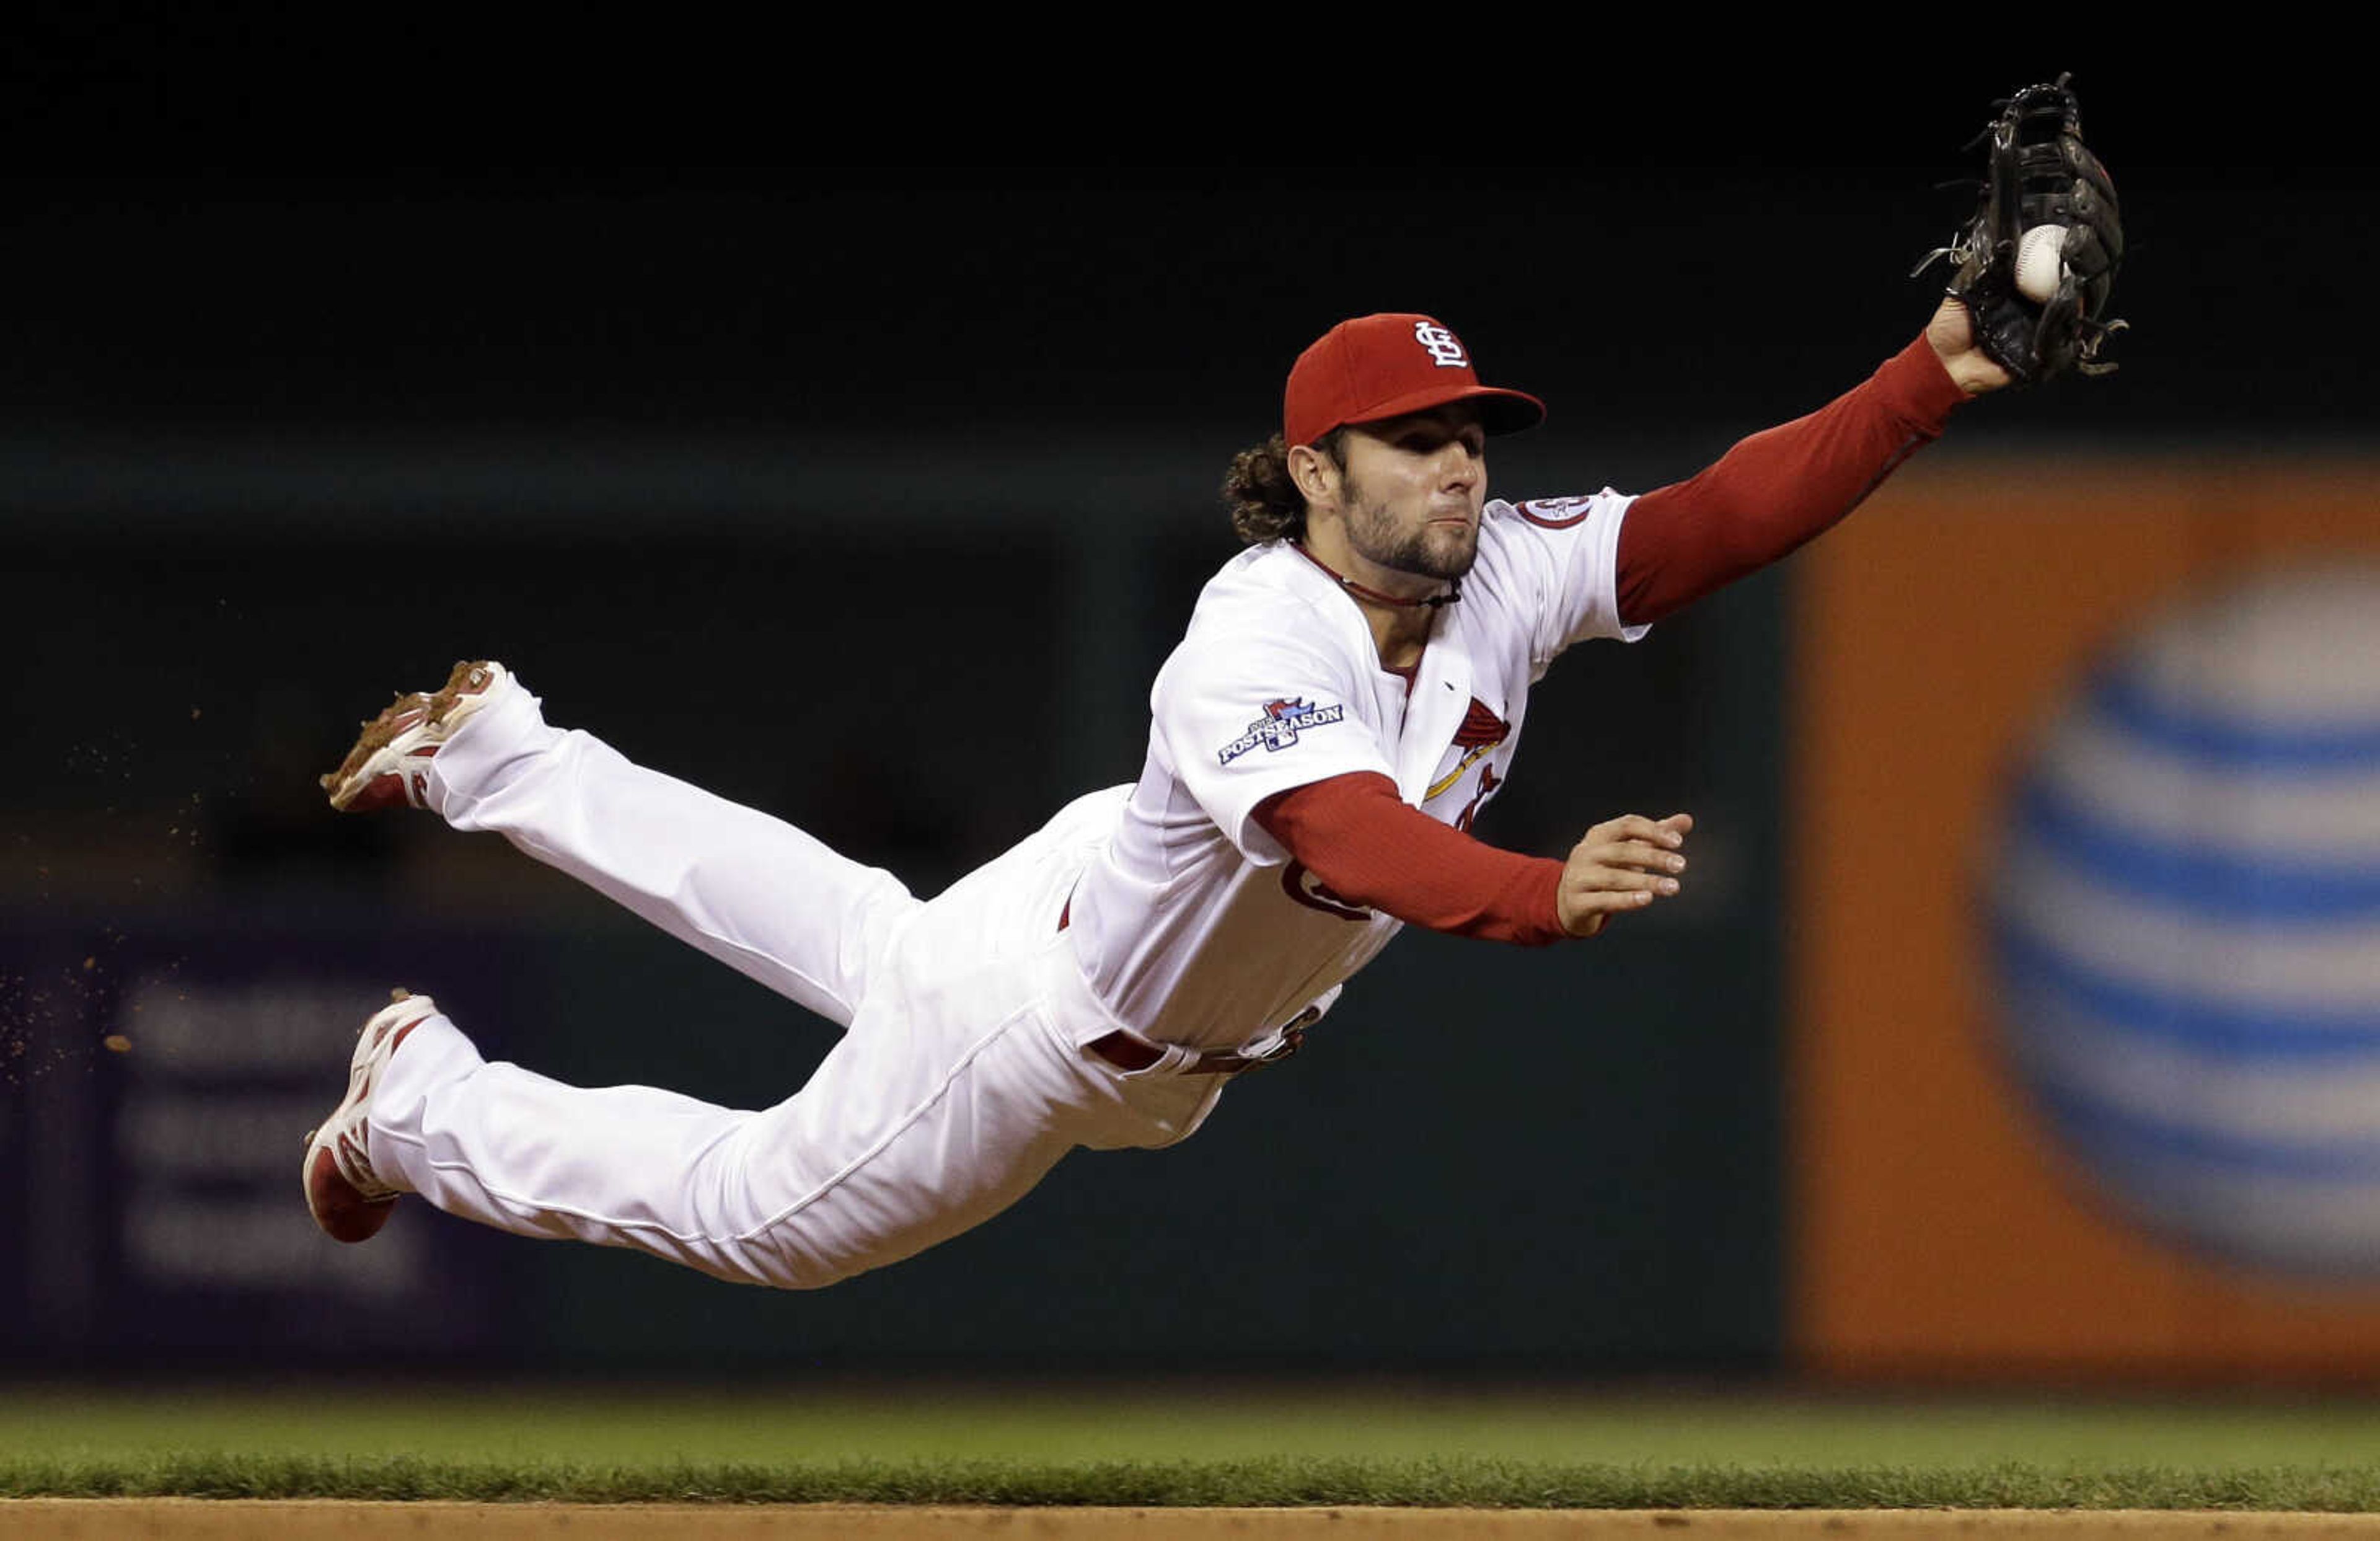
(303,1521)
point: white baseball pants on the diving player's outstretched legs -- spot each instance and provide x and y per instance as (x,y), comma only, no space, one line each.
(956,1087)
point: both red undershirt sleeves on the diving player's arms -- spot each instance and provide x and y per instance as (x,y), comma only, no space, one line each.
(1758,504)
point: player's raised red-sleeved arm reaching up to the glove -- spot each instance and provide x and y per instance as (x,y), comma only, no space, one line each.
(1789,485)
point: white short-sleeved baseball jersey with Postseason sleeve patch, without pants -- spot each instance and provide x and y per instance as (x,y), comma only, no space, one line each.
(1196,925)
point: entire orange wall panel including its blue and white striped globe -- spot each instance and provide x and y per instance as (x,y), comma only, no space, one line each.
(2086,925)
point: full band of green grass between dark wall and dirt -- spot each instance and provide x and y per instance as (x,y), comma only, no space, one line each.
(1196,1445)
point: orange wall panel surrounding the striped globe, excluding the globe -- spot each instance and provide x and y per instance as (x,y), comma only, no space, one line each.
(1936,1230)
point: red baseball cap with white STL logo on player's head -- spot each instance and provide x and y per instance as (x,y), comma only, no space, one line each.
(1389,366)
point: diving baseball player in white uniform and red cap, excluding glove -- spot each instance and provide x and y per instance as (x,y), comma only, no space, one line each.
(1346,699)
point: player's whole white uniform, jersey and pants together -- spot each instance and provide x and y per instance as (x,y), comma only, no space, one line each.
(965,1071)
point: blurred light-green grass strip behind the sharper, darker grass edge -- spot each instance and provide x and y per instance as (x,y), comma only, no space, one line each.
(1194,1423)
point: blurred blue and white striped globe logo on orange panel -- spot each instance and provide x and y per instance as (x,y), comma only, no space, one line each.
(2186,923)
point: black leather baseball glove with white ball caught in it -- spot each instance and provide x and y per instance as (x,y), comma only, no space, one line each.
(2038,175)
